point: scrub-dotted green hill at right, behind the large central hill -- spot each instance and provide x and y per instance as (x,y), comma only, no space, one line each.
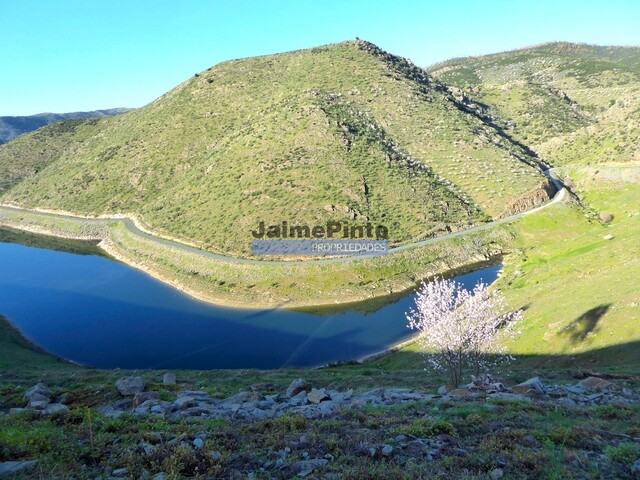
(569,102)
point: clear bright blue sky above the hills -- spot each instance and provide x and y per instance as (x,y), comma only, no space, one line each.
(72,55)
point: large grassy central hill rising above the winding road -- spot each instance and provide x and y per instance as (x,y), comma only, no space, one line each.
(340,132)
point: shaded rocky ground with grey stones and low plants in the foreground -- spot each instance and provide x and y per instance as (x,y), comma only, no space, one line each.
(480,430)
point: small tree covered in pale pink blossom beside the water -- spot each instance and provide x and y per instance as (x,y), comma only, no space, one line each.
(458,327)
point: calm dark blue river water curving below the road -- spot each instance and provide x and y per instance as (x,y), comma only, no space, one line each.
(98,312)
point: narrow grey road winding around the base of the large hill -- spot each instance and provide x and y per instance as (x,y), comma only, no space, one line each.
(134,229)
